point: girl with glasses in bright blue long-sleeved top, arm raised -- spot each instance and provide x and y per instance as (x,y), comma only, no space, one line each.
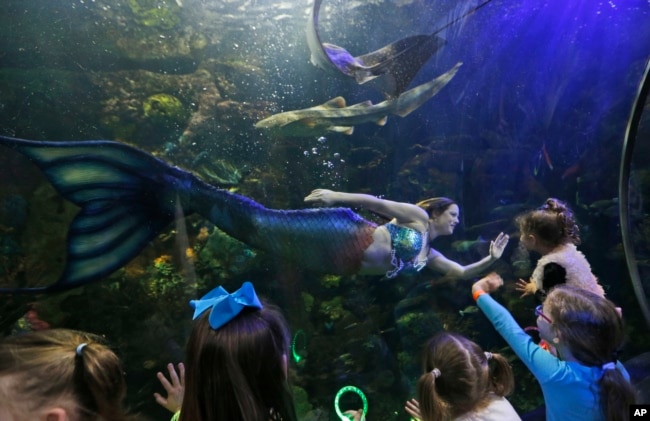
(585,381)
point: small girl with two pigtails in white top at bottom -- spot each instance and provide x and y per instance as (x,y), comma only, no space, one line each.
(461,382)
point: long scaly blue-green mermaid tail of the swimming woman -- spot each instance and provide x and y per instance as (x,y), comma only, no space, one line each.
(127,197)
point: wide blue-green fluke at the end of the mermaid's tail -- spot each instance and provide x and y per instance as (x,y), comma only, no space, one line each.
(121,192)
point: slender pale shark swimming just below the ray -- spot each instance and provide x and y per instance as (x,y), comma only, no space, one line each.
(335,116)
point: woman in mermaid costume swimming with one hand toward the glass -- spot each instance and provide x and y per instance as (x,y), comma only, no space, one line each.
(128,196)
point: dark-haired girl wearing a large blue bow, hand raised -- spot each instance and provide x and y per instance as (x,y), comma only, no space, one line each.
(236,366)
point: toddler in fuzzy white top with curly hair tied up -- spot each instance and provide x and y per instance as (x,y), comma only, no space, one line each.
(552,232)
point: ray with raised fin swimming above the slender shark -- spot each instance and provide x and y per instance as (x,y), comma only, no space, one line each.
(397,63)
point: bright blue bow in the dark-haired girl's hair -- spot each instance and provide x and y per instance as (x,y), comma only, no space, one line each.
(224,306)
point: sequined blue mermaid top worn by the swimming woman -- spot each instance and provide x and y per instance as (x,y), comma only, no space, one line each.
(406,245)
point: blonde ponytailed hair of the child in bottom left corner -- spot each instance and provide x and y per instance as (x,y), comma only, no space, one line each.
(49,368)
